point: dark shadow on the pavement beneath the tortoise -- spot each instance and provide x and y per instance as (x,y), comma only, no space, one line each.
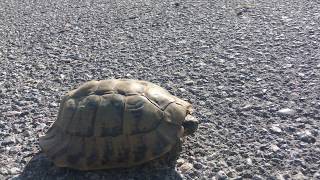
(41,168)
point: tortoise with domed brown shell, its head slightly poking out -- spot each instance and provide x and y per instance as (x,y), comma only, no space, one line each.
(117,123)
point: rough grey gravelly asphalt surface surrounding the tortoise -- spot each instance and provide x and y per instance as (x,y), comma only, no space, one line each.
(250,68)
